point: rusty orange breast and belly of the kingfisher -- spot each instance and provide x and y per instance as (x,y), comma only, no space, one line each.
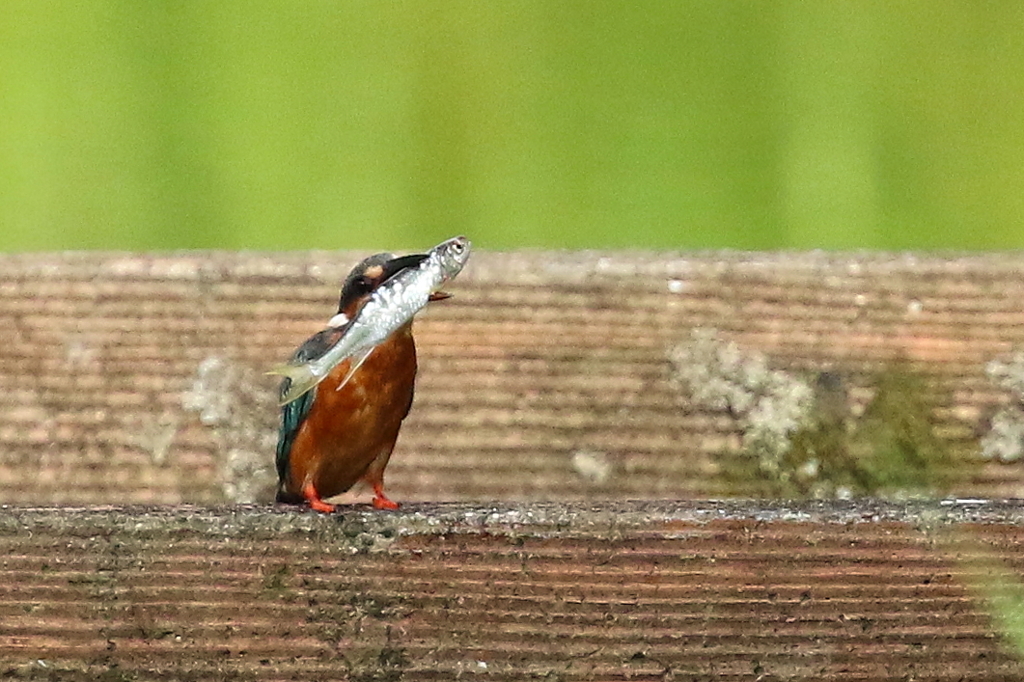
(347,430)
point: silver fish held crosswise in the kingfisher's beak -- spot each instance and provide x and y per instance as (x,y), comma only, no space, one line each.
(391,307)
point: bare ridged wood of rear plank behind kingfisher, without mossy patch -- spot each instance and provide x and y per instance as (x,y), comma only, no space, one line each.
(139,378)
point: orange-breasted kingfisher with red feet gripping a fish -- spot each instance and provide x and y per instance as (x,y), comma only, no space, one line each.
(343,432)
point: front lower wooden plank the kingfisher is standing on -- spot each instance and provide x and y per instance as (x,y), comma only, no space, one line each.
(616,591)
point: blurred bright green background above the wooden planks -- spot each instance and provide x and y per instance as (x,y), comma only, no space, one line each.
(654,124)
